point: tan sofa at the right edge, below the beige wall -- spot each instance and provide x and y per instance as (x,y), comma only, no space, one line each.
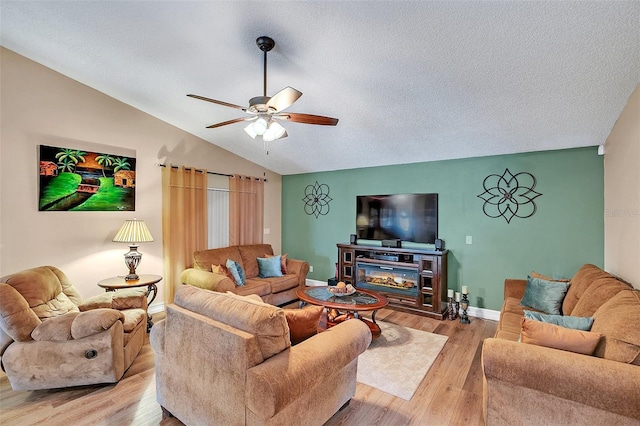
(531,384)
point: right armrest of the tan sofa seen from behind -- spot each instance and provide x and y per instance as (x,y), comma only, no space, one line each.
(279,380)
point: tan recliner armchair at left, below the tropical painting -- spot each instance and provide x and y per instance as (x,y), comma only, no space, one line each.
(49,338)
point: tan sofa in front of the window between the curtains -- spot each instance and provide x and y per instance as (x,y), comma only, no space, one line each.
(276,290)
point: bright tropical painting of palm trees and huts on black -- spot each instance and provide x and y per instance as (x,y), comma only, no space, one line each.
(76,180)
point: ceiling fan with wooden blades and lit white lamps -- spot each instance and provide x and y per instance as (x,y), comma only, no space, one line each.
(265,112)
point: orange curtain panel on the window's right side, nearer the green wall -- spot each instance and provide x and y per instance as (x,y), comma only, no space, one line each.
(246,210)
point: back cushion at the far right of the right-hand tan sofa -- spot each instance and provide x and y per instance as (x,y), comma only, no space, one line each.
(617,319)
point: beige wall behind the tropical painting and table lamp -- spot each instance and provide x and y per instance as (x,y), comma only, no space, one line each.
(42,107)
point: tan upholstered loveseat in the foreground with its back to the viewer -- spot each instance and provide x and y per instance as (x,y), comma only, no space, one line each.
(224,359)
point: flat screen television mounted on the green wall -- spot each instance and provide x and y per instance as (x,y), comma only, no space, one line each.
(407,217)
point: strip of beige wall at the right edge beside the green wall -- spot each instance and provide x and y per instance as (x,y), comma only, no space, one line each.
(622,194)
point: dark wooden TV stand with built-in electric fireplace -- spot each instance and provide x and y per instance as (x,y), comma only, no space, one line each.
(412,280)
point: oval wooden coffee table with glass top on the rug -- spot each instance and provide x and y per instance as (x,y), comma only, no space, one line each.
(361,300)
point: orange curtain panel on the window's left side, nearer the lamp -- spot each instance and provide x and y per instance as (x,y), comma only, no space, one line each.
(184,222)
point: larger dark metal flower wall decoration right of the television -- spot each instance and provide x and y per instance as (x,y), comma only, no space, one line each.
(509,195)
